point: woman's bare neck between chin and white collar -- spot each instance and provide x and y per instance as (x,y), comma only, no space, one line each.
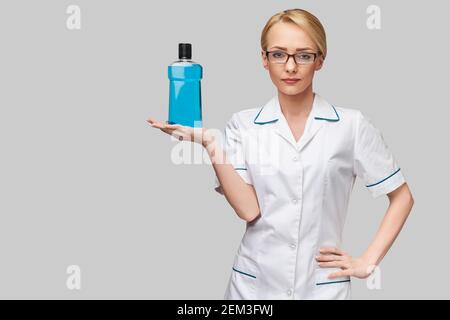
(296,106)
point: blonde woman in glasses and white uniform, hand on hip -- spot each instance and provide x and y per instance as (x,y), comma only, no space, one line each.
(288,169)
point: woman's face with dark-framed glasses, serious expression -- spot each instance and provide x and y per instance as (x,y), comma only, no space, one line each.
(291,37)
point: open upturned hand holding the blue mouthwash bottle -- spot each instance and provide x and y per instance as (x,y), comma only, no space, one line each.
(180,132)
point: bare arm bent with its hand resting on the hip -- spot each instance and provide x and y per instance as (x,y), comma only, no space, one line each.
(400,205)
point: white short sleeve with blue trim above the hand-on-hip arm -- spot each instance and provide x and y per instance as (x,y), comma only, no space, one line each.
(374,163)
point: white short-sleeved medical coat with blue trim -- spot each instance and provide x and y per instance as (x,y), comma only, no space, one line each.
(303,189)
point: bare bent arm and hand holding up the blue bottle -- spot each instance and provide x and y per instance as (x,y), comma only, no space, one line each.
(240,195)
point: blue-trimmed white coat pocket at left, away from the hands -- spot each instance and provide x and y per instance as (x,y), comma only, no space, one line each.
(244,276)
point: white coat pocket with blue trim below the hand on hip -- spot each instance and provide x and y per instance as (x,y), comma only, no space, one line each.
(336,288)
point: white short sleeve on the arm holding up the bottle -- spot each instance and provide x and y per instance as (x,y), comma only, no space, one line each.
(234,150)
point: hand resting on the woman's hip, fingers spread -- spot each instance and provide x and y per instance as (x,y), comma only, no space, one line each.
(331,257)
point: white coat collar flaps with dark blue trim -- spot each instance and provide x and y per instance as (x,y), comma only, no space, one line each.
(321,110)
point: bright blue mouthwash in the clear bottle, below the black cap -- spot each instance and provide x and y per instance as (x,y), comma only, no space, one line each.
(185,99)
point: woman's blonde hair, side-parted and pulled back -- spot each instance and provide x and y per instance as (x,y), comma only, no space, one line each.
(303,19)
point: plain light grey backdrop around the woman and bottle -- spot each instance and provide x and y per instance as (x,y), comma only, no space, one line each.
(86,181)
